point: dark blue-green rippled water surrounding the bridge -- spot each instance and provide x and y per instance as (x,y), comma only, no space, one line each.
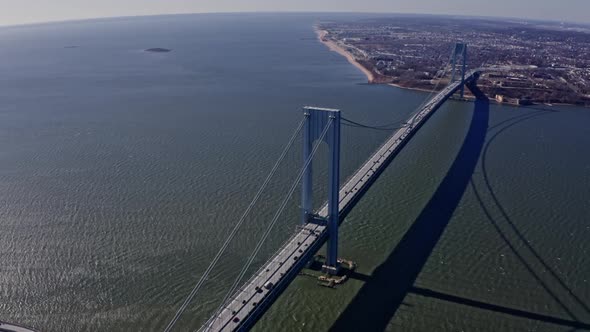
(122,171)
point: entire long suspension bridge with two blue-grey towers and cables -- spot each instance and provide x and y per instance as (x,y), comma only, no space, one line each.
(244,305)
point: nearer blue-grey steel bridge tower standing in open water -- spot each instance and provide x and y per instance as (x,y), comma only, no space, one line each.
(316,120)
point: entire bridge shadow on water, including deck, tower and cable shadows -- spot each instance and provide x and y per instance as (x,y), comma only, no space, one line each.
(384,291)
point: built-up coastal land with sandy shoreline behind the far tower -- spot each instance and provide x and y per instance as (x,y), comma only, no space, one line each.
(521,61)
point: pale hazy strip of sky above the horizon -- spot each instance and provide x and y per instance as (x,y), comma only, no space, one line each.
(26,11)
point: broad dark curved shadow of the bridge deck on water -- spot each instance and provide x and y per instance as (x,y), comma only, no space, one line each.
(384,291)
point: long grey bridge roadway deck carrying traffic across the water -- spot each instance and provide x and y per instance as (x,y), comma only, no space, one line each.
(248,304)
